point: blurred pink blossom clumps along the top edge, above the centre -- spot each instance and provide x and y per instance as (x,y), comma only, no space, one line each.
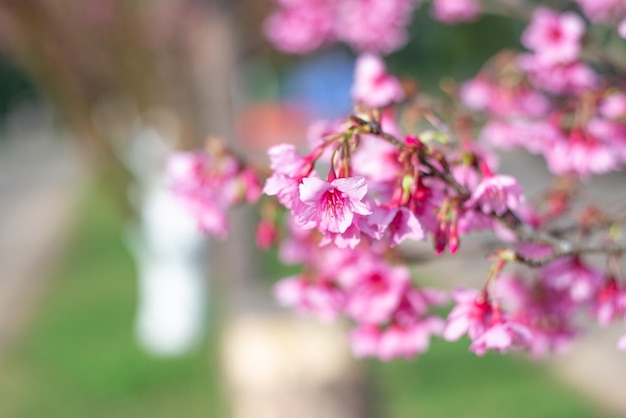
(378,26)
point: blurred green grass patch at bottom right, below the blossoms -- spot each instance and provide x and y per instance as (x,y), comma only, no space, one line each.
(449,381)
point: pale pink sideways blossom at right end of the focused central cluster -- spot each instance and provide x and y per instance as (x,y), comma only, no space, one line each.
(496,194)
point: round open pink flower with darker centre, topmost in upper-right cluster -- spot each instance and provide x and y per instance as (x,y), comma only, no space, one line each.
(555,38)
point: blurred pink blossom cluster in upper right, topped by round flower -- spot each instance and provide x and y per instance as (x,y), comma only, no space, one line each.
(560,108)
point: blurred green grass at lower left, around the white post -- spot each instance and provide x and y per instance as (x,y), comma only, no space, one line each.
(79,358)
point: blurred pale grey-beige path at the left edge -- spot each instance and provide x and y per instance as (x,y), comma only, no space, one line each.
(39,187)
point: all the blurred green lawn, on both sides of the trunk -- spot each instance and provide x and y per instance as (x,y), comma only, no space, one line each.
(78,358)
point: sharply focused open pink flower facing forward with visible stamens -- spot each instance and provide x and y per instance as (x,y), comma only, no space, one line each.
(332,206)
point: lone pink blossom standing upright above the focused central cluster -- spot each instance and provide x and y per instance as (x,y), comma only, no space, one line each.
(373,85)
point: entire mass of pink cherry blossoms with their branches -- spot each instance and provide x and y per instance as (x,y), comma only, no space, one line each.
(369,184)
